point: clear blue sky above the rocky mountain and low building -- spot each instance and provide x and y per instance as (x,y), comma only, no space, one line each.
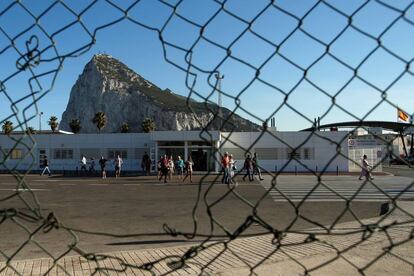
(281,69)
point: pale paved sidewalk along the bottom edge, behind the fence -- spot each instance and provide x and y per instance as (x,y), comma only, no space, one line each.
(292,258)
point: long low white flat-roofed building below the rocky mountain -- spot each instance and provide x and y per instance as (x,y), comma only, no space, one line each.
(319,151)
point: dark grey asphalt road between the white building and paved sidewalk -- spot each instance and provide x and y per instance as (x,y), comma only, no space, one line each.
(133,210)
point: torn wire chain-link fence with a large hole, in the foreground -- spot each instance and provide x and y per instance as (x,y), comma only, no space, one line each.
(37,58)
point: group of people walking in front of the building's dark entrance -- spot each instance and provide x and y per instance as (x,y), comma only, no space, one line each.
(167,167)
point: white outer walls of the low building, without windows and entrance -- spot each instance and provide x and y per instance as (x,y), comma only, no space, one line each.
(325,147)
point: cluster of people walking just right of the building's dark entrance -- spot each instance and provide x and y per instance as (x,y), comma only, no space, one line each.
(251,166)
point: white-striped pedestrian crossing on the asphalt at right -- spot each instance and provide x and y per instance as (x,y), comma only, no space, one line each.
(297,193)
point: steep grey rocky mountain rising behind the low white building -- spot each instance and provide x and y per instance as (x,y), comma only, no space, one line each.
(108,85)
